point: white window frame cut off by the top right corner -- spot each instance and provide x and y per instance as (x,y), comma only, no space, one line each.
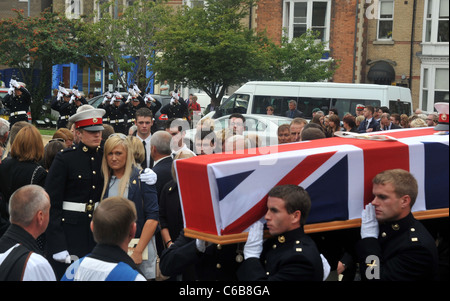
(433,20)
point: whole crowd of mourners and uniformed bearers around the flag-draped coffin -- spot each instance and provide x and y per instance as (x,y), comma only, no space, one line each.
(99,202)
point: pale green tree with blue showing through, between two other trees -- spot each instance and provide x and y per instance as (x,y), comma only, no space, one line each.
(125,41)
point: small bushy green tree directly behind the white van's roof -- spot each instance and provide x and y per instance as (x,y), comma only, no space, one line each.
(301,59)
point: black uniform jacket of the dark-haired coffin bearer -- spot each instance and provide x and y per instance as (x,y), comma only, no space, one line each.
(292,256)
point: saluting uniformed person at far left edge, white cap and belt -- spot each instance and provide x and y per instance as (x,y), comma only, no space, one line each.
(18,101)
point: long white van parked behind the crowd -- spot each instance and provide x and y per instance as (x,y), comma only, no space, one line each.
(254,97)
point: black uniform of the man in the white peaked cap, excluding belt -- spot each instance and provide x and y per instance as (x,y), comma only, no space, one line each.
(75,176)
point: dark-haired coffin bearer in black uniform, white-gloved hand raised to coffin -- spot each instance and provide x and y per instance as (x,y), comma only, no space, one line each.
(290,255)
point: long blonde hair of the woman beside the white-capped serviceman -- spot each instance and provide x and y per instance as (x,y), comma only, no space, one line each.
(110,144)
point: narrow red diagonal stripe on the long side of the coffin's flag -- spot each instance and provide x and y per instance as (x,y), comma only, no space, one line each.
(297,175)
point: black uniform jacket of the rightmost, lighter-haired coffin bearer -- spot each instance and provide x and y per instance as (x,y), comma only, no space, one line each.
(405,249)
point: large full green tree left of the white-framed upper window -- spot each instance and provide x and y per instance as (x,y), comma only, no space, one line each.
(210,49)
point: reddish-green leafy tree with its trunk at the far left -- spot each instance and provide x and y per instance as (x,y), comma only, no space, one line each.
(37,43)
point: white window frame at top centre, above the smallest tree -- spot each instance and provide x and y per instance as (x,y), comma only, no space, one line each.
(288,17)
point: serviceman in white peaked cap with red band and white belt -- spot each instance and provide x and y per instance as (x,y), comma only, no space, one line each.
(74,184)
